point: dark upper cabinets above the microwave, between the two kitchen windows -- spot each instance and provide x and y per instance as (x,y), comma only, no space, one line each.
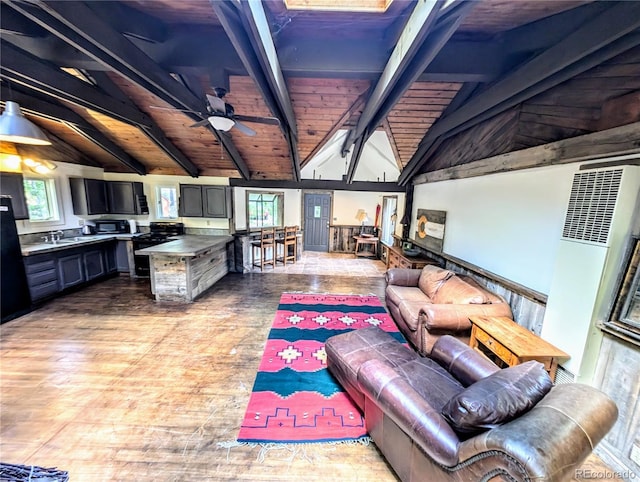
(95,196)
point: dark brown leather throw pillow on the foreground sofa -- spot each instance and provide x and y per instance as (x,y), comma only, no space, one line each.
(498,398)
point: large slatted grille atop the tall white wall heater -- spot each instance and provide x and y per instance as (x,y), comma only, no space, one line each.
(591,205)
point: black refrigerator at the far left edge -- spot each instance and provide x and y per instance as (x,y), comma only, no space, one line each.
(15,298)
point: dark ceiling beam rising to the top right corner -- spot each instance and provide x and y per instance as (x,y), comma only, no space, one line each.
(603,37)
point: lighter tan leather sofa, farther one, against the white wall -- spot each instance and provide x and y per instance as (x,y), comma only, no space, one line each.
(430,302)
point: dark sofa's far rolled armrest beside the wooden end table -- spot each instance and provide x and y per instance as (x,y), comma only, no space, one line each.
(463,362)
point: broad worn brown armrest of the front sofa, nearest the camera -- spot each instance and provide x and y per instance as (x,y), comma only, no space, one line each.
(555,436)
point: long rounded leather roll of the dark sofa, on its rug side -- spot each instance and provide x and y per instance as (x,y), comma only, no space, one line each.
(381,384)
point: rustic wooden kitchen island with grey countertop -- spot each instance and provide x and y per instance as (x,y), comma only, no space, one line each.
(184,268)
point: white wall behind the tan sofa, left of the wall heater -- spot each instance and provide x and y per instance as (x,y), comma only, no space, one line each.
(508,223)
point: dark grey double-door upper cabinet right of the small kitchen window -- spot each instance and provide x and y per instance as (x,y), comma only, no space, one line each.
(205,201)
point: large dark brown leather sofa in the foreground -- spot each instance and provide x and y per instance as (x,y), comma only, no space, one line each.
(457,417)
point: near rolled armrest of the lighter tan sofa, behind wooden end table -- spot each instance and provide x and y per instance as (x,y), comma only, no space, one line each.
(453,318)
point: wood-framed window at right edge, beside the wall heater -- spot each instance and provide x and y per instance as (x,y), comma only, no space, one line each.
(625,320)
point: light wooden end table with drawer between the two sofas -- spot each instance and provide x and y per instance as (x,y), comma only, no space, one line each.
(513,344)
